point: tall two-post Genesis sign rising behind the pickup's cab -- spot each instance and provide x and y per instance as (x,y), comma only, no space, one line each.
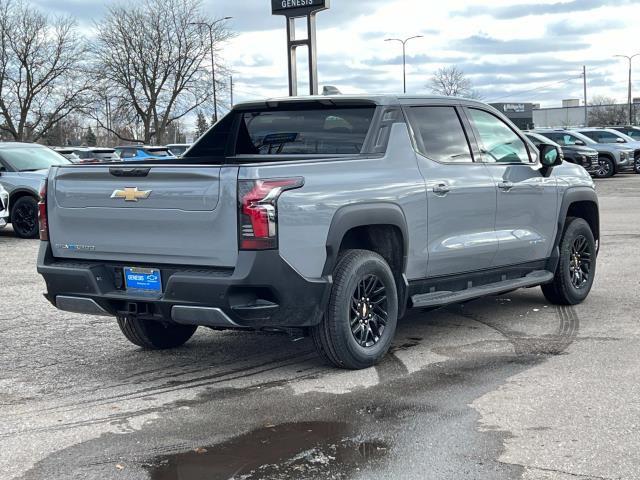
(308,9)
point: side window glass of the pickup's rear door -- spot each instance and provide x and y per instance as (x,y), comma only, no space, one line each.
(443,138)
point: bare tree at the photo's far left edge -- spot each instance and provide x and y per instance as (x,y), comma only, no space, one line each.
(41,71)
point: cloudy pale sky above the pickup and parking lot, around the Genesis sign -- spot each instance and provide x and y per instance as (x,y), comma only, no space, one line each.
(513,50)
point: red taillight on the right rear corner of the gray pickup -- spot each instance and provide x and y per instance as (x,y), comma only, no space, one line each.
(258,211)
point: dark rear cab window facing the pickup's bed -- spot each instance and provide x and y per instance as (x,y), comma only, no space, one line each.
(316,131)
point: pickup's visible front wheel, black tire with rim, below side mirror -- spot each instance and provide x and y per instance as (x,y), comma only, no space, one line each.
(564,289)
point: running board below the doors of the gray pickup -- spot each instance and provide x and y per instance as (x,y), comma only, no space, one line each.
(439,299)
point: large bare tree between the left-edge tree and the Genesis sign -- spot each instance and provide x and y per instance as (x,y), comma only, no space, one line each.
(150,55)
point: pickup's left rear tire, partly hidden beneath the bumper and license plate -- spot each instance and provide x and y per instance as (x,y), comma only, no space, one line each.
(153,335)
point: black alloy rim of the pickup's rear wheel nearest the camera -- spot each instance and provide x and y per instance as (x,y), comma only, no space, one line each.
(369,311)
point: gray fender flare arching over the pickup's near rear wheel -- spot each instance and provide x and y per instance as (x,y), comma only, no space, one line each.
(360,215)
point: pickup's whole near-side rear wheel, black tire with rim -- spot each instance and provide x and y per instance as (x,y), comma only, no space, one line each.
(353,335)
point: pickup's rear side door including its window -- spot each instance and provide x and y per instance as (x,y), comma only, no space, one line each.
(461,194)
